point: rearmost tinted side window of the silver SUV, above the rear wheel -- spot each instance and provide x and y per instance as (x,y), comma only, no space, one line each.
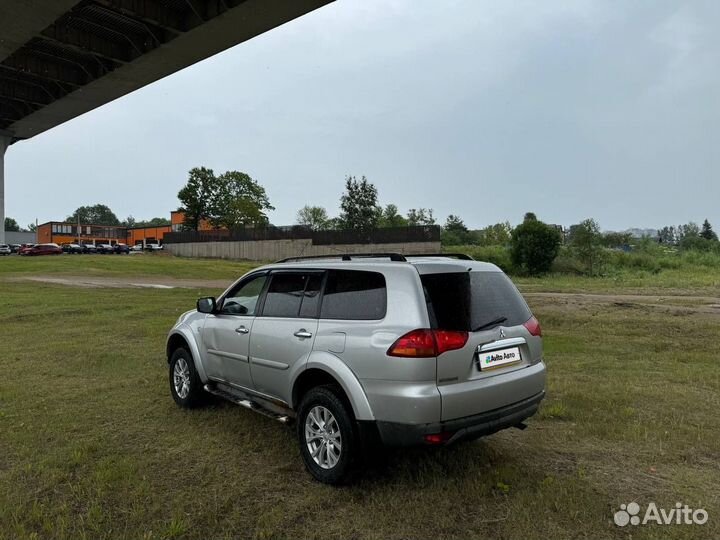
(355,295)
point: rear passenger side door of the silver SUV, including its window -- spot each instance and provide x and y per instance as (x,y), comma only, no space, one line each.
(283,334)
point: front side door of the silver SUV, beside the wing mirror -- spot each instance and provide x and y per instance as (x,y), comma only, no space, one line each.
(226,334)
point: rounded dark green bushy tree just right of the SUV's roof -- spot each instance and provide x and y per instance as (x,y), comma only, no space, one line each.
(534,246)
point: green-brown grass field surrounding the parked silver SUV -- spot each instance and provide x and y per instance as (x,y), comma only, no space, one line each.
(92,446)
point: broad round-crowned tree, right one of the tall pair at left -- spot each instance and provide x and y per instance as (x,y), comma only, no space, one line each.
(239,201)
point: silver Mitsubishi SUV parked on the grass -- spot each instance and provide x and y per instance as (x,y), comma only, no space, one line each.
(407,350)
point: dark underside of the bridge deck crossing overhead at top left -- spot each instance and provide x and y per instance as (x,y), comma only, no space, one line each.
(62,58)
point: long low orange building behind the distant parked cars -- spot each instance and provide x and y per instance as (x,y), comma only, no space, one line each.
(67,233)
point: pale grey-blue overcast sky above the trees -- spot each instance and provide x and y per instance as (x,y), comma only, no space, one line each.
(487,110)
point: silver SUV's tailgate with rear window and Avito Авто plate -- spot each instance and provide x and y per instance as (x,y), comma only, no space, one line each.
(487,305)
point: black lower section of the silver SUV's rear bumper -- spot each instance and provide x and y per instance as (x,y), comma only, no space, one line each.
(469,427)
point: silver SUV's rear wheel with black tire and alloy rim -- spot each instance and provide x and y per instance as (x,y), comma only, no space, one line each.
(329,465)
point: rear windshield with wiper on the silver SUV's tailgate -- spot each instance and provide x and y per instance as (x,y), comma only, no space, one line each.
(469,300)
